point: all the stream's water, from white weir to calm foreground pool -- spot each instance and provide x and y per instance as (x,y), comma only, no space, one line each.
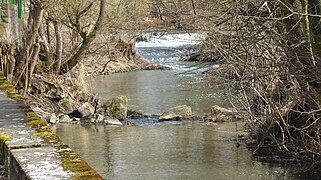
(171,150)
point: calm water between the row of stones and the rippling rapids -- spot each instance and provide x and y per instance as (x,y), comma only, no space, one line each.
(154,92)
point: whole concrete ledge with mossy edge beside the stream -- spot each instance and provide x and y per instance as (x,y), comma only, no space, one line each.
(30,150)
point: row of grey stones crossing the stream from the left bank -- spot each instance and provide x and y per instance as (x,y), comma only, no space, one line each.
(115,112)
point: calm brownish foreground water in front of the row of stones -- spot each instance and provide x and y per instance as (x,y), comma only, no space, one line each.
(166,151)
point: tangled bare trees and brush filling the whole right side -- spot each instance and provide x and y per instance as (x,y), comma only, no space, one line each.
(273,54)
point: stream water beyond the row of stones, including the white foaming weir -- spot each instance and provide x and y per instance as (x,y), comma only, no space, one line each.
(153,92)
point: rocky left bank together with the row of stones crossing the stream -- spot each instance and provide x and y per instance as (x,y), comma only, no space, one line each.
(66,98)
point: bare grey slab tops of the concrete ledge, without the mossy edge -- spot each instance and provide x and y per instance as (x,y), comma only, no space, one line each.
(26,155)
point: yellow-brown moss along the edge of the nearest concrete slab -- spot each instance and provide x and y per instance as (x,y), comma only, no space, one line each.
(72,162)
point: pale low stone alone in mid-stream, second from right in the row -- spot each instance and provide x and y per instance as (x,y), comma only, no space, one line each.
(177,113)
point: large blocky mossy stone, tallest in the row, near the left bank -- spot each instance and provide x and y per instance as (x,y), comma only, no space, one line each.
(115,107)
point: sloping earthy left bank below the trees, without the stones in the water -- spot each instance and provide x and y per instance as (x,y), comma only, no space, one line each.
(53,96)
